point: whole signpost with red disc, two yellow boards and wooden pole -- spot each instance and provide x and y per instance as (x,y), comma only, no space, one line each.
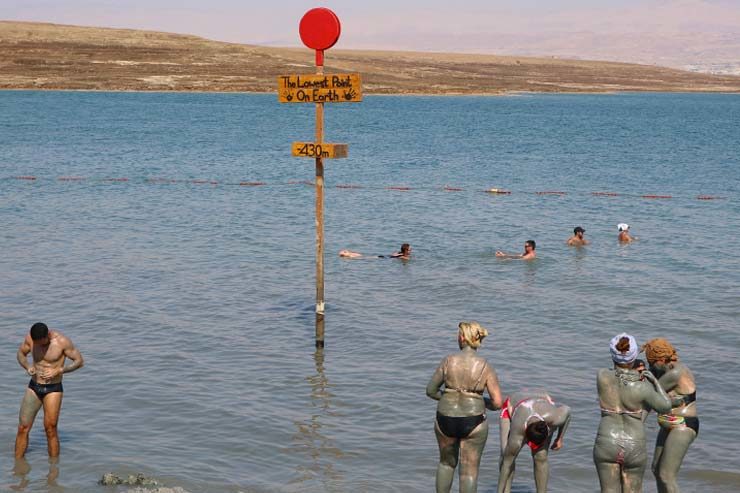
(319,29)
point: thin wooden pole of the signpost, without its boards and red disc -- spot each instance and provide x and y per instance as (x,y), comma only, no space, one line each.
(319,217)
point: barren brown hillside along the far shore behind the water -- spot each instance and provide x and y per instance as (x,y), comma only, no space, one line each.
(49,56)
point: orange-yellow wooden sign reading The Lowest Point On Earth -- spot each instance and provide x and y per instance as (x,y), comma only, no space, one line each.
(330,88)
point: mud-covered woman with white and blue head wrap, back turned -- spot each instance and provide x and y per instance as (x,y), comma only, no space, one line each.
(625,394)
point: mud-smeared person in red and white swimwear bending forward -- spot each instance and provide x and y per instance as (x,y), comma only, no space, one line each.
(529,419)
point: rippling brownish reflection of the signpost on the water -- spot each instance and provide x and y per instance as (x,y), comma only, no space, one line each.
(310,439)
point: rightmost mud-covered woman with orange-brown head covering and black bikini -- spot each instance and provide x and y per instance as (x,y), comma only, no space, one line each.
(680,427)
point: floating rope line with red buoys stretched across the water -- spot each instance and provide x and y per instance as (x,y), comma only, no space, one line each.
(350,186)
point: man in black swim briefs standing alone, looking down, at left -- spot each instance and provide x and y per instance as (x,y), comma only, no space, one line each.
(49,349)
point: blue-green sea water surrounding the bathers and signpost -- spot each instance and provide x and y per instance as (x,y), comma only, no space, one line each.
(193,303)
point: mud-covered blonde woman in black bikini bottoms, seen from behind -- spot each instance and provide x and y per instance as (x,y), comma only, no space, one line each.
(461,427)
